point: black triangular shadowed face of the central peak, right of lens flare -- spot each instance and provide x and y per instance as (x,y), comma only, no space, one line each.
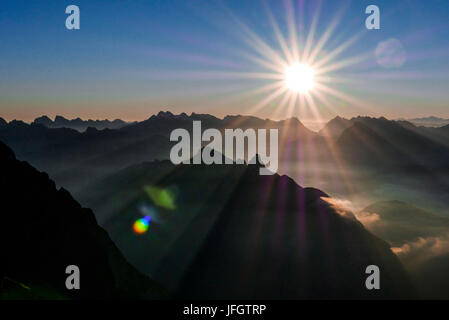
(276,240)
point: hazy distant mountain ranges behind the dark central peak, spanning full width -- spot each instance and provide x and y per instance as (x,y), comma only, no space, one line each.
(346,149)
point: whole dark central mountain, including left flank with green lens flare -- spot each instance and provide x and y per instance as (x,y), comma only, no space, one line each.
(224,231)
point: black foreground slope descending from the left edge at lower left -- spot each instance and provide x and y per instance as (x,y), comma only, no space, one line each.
(43,230)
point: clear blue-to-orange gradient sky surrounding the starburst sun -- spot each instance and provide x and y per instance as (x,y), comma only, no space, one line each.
(131,59)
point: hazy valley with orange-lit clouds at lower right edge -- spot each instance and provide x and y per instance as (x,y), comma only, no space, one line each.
(419,238)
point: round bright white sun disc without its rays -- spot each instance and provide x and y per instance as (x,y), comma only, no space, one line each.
(299,77)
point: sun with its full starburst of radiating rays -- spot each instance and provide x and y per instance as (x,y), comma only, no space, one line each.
(302,71)
